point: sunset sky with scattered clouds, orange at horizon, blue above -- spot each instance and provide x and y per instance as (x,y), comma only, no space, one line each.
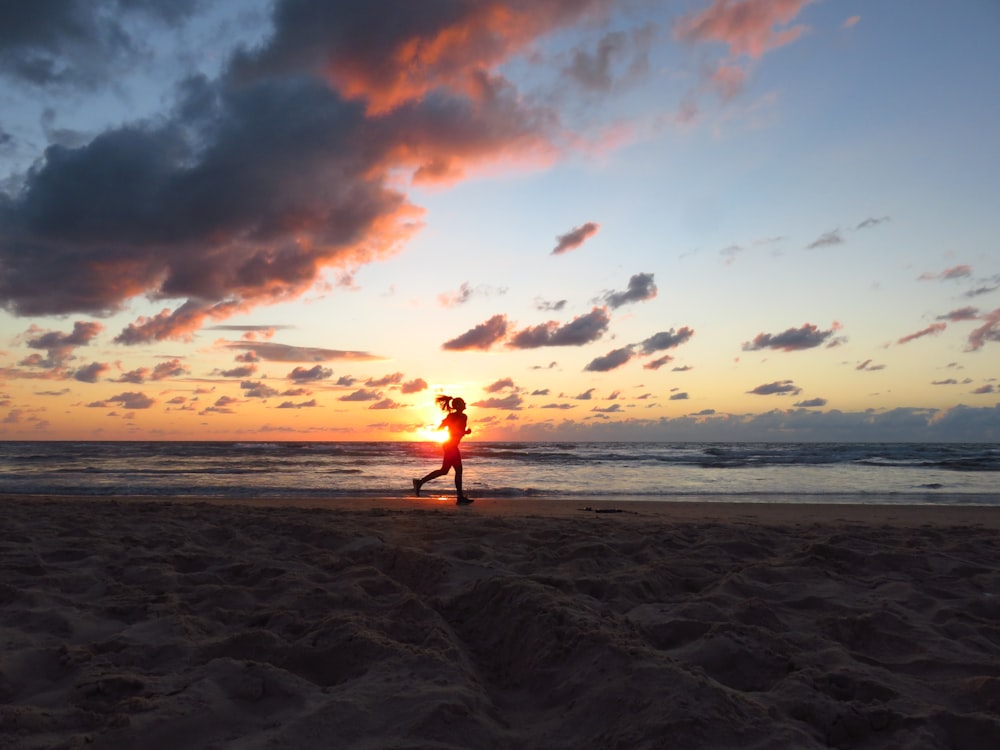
(591,219)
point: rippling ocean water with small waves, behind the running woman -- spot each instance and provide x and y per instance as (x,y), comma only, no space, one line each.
(742,472)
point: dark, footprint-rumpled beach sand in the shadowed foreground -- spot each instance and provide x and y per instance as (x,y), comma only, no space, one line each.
(410,623)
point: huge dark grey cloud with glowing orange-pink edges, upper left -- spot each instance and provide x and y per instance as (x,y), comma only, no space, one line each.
(249,186)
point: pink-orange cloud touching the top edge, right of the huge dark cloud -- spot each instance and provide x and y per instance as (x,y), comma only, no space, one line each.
(749,28)
